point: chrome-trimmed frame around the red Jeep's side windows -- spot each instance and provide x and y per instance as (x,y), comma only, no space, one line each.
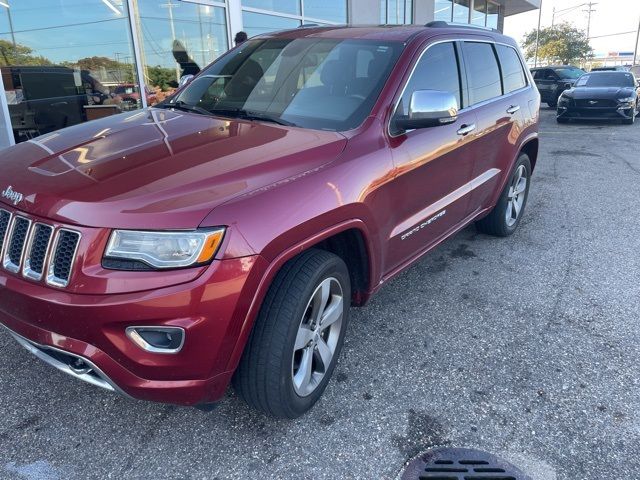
(462,68)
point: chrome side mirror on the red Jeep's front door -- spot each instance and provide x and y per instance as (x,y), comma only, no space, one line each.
(429,108)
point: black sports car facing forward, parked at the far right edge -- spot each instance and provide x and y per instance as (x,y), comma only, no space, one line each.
(601,95)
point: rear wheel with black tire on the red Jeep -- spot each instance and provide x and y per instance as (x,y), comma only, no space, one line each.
(496,223)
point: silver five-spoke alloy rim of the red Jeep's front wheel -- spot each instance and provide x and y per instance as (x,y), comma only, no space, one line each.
(317,337)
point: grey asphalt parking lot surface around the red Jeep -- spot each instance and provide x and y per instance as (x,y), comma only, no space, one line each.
(526,347)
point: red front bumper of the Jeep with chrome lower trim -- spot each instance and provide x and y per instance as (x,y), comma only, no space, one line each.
(65,329)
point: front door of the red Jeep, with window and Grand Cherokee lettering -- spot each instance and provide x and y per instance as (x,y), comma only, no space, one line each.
(433,165)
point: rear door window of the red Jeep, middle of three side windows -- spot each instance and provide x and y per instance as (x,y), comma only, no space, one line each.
(483,74)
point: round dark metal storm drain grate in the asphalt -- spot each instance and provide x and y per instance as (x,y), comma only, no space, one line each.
(460,464)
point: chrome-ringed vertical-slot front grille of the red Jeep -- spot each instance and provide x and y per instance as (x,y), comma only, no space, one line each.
(26,246)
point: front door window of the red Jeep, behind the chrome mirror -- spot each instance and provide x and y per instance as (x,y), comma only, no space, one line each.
(436,70)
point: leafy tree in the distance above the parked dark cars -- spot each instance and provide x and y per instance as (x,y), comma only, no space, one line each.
(559,44)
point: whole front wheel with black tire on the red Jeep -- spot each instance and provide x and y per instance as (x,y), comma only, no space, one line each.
(271,376)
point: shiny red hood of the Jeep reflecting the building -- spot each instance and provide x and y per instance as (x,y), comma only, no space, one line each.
(155,168)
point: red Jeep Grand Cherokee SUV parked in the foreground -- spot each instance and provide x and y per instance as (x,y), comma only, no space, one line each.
(224,233)
